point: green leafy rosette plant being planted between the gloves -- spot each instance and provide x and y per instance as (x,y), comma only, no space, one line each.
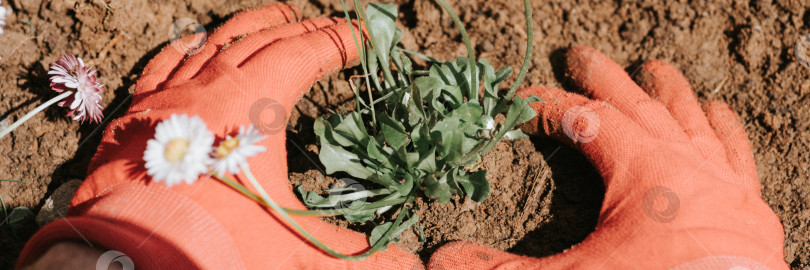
(417,132)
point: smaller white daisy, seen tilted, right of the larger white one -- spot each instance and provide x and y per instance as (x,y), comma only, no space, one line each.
(234,151)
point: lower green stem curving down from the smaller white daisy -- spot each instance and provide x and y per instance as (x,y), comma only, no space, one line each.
(309,236)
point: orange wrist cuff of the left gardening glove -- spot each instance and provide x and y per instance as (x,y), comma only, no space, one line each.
(155,227)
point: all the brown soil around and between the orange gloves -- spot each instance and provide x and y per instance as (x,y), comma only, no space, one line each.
(737,51)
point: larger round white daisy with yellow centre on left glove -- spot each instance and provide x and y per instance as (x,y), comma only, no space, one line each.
(180,150)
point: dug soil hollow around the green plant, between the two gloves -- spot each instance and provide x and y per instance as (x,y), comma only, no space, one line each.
(545,197)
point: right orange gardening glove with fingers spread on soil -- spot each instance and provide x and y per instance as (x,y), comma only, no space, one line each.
(681,186)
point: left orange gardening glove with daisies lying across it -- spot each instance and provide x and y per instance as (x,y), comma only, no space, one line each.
(206,224)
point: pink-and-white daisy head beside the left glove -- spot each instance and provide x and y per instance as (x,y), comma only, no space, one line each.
(70,74)
